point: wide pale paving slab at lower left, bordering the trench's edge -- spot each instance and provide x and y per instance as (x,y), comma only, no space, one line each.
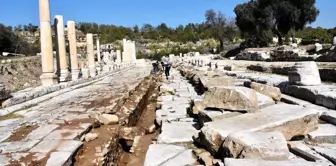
(47,146)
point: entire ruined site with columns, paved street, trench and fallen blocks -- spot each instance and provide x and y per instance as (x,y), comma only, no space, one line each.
(271,106)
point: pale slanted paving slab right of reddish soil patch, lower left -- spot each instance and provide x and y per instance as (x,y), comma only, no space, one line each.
(41,132)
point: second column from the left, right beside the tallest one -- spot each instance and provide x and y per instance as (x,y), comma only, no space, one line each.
(61,51)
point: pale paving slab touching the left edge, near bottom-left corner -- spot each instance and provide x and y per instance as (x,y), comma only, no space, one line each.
(19,146)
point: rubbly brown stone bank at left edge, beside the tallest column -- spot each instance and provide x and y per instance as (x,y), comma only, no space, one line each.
(21,73)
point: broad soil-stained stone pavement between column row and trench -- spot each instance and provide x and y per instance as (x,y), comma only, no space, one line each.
(49,133)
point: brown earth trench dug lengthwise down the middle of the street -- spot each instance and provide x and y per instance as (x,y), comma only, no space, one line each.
(113,146)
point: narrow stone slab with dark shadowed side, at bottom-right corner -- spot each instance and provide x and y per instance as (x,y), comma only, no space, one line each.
(300,149)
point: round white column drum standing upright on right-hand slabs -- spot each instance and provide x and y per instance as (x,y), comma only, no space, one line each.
(304,73)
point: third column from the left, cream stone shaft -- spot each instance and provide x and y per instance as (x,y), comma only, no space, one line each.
(73,50)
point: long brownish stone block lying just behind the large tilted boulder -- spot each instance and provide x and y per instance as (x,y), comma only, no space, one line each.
(269,91)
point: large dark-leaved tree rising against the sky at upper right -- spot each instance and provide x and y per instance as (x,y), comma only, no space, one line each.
(257,18)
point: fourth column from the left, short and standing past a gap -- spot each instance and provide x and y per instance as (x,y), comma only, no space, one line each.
(90,54)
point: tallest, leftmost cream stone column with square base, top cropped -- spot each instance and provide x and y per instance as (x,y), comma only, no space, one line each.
(48,76)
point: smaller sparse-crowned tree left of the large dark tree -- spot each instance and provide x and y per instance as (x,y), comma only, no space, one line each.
(219,26)
